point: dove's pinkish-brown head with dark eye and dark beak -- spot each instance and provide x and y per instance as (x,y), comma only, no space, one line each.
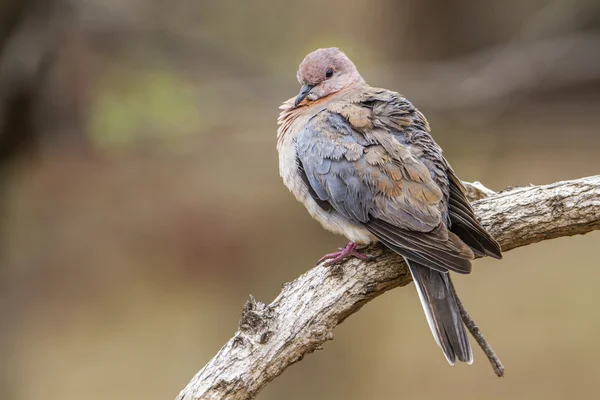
(325,71)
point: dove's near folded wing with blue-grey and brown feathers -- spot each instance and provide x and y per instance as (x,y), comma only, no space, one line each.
(352,163)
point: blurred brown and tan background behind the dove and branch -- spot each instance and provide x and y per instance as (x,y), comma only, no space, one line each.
(141,205)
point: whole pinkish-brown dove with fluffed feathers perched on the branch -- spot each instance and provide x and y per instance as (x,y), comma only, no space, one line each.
(363,162)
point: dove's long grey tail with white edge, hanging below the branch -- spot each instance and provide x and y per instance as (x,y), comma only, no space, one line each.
(442,312)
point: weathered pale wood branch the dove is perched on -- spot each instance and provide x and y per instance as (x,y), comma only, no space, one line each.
(272,337)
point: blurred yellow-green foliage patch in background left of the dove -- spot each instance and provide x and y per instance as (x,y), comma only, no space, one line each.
(152,105)
